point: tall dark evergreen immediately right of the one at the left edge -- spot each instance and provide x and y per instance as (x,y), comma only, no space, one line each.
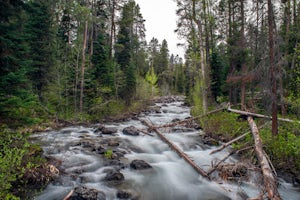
(40,38)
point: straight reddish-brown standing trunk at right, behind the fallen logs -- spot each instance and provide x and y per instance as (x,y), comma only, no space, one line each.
(272,69)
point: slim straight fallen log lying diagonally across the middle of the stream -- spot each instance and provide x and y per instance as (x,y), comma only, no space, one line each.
(176,149)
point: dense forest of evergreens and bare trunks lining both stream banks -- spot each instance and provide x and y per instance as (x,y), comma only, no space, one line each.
(84,60)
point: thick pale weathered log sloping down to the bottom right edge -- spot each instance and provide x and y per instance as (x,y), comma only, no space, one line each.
(269,179)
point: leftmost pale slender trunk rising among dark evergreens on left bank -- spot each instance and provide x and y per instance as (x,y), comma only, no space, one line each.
(83,66)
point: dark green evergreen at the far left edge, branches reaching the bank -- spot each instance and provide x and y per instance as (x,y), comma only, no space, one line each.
(16,98)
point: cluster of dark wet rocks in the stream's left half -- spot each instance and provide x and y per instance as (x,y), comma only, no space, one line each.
(114,176)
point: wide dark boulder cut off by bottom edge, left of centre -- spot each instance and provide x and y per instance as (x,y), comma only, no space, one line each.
(84,193)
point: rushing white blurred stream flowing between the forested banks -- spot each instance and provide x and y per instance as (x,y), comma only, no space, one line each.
(100,165)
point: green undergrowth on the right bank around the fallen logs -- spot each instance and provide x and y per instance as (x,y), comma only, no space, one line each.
(283,149)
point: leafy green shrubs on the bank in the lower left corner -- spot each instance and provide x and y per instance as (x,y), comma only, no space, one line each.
(16,156)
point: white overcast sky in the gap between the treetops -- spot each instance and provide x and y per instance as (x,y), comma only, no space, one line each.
(160,16)
